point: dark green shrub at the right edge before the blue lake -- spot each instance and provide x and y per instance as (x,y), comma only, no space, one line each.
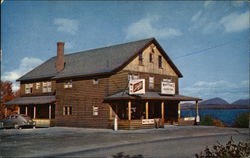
(242,120)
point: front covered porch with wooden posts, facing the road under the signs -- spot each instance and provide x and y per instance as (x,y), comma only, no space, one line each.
(148,110)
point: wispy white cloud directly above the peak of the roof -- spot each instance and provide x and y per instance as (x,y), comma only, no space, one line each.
(146,27)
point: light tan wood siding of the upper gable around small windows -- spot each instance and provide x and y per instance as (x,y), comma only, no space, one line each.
(148,67)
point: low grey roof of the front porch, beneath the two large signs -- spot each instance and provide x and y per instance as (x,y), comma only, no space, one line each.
(149,96)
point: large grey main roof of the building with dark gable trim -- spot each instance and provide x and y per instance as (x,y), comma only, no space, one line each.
(98,61)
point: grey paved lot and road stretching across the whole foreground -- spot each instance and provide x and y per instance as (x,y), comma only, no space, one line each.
(172,141)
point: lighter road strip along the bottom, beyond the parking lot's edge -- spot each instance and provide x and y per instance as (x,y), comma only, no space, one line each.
(167,148)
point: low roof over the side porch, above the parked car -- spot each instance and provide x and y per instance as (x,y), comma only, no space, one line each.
(32,100)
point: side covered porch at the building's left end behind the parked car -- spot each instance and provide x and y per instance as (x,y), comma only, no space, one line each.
(40,108)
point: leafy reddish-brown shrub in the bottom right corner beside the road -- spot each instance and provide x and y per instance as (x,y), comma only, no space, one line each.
(230,150)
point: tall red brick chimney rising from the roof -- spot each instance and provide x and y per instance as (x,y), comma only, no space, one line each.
(60,57)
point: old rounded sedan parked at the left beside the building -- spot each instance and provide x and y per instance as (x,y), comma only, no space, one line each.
(17,121)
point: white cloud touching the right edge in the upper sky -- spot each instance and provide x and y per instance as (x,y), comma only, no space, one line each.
(235,22)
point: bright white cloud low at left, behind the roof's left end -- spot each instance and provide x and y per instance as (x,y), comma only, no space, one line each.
(26,64)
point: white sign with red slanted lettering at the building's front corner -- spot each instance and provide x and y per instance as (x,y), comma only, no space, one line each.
(137,86)
